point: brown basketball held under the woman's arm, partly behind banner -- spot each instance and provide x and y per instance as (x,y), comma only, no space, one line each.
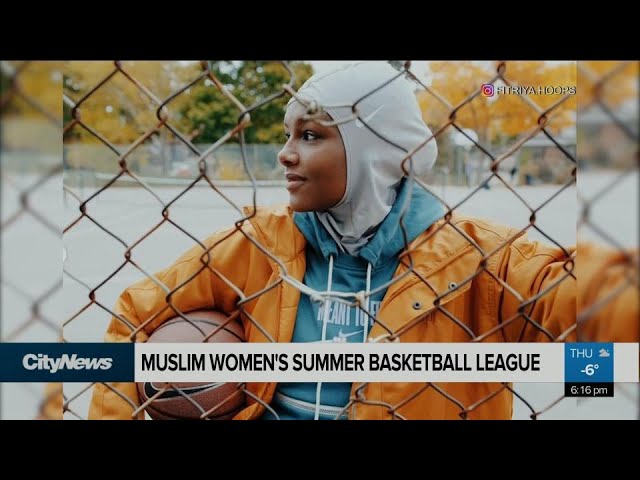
(188,401)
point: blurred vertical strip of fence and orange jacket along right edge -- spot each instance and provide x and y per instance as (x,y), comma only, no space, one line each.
(608,207)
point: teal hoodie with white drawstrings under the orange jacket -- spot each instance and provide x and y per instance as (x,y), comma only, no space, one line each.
(296,401)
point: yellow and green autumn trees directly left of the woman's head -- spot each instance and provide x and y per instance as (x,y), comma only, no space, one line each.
(120,110)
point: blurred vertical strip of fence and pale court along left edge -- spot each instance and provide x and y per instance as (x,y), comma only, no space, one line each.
(30,228)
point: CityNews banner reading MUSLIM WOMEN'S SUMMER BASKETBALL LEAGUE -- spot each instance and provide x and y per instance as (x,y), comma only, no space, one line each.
(586,369)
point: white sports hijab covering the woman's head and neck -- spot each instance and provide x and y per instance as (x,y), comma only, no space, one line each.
(373,165)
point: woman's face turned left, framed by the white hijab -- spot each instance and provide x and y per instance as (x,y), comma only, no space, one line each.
(315,162)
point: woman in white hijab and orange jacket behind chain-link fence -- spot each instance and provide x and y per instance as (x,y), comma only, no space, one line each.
(357,223)
